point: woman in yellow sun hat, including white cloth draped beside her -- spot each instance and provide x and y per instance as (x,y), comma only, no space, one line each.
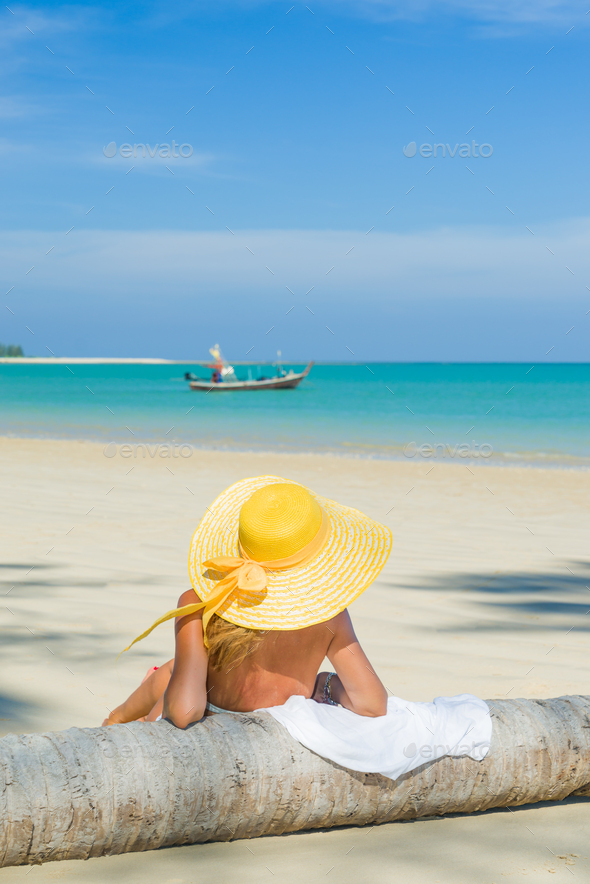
(273,568)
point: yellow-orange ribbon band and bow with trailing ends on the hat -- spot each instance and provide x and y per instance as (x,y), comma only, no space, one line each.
(244,574)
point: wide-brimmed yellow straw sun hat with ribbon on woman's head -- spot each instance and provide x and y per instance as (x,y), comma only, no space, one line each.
(270,554)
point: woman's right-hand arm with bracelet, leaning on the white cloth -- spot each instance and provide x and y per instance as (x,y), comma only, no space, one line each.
(356,685)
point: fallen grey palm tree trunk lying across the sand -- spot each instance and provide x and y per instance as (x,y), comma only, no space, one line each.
(98,791)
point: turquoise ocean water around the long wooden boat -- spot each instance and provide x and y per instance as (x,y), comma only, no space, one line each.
(482,413)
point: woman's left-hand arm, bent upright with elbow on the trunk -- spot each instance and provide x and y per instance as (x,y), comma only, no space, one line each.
(186,695)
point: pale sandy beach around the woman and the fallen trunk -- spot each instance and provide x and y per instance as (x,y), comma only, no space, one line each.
(486,591)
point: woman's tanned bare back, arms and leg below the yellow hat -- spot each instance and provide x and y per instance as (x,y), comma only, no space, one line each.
(245,670)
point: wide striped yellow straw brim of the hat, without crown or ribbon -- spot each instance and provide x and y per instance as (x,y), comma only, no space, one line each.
(352,557)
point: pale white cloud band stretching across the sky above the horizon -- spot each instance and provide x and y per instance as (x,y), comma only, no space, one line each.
(458,264)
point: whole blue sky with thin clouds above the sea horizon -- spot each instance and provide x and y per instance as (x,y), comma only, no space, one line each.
(297,153)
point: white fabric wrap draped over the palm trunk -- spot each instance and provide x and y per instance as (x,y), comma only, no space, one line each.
(409,735)
